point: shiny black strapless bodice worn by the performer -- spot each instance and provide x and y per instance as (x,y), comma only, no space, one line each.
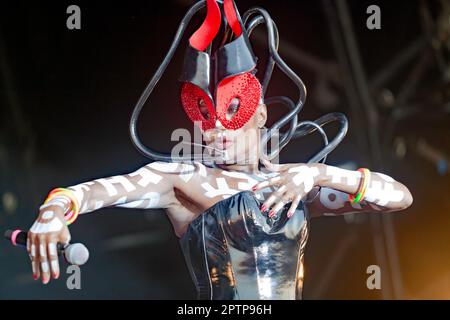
(233,251)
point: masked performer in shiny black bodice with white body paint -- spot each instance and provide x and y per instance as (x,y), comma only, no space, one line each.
(242,221)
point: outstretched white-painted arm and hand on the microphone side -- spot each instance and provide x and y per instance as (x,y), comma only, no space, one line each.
(152,186)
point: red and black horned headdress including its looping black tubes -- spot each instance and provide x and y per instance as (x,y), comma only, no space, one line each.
(211,81)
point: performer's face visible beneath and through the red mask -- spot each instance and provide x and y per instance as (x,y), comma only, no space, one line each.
(240,146)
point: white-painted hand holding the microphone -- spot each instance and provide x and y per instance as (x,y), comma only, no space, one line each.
(49,229)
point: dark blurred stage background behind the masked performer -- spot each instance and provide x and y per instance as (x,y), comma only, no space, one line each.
(66,97)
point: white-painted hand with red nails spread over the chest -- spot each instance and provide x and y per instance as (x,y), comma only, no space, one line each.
(295,181)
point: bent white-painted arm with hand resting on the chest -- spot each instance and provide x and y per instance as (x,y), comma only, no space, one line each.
(303,181)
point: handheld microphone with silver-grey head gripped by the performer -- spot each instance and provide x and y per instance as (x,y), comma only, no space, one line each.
(75,253)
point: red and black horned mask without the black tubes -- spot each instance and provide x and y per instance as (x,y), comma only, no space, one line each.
(215,81)
